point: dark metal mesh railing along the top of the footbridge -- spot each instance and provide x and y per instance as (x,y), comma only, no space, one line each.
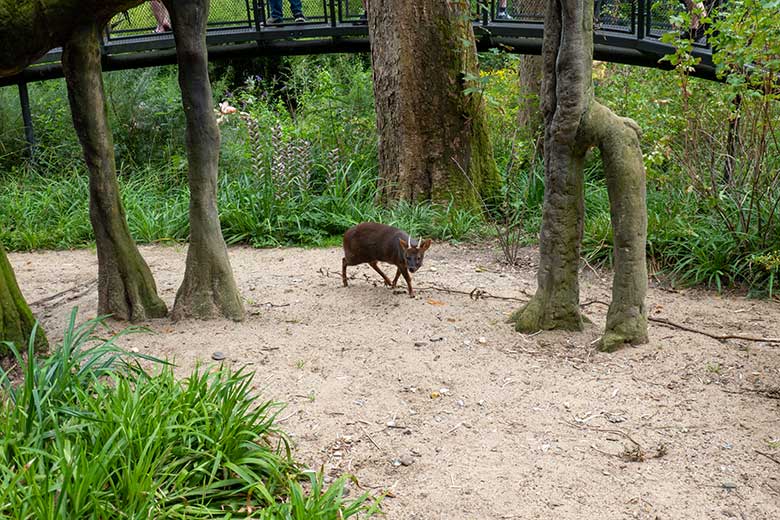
(280,19)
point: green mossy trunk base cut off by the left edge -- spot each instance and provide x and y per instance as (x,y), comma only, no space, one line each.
(16,320)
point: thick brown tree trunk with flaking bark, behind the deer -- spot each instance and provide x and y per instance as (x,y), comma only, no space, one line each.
(433,138)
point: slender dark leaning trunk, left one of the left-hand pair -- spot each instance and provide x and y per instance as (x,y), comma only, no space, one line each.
(126,288)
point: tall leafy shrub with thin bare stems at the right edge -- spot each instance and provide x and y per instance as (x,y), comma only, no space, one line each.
(729,152)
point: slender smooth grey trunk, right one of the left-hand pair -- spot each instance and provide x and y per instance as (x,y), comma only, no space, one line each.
(209,289)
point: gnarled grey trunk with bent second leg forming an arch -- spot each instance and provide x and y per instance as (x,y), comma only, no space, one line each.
(574,122)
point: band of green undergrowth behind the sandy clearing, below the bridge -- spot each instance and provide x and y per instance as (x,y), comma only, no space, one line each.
(299,165)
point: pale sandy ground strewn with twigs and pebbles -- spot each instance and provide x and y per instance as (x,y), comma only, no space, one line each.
(439,401)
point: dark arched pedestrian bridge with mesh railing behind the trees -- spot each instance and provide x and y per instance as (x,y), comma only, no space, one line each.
(625,31)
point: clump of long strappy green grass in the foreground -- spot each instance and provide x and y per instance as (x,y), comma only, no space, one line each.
(89,434)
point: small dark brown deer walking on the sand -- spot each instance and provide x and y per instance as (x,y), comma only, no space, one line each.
(371,243)
